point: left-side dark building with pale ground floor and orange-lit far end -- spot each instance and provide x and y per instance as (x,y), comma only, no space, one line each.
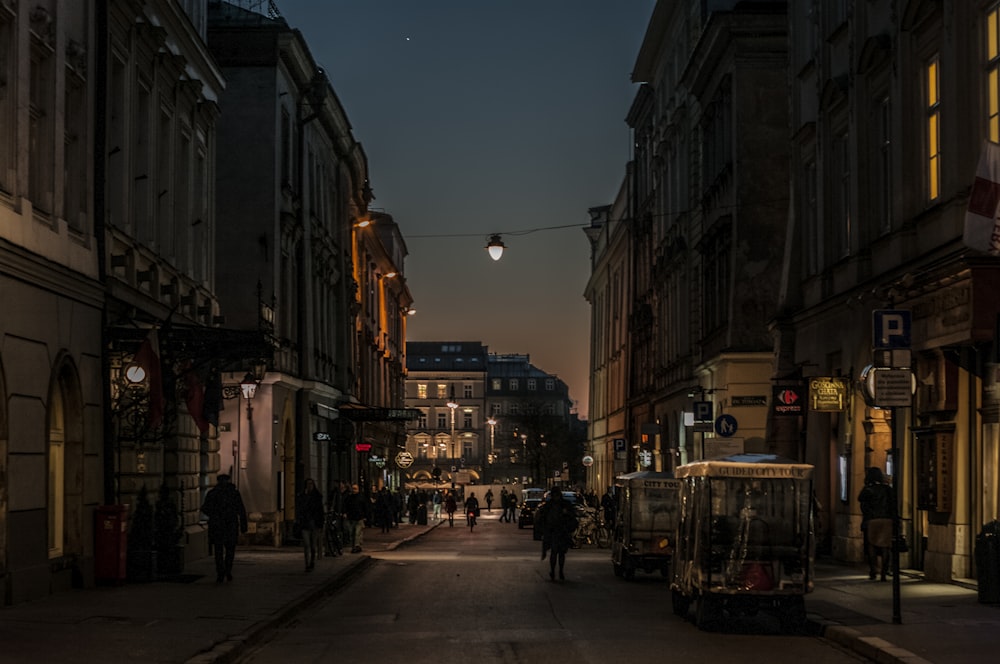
(296,256)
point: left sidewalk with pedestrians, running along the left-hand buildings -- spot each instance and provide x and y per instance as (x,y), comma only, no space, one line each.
(192,620)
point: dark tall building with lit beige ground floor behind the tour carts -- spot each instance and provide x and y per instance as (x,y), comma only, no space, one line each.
(706,194)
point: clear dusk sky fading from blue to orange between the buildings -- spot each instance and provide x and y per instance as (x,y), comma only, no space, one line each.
(481,117)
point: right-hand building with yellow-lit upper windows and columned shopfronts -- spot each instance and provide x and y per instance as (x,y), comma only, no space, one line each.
(891,105)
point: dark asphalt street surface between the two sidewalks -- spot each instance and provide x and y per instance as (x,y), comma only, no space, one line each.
(486,597)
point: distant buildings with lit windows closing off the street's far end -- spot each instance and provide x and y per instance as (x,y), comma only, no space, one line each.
(513,422)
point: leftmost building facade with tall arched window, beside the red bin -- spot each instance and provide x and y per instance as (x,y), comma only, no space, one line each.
(52,459)
